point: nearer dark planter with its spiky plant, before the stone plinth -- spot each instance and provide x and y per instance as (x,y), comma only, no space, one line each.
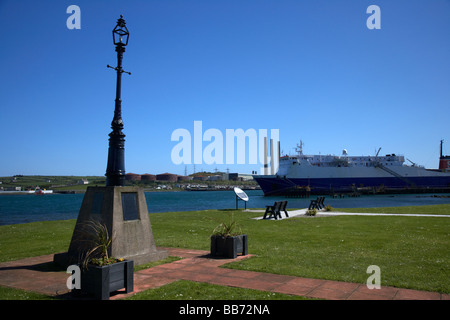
(102,274)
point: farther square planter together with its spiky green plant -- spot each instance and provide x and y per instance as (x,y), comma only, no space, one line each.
(228,241)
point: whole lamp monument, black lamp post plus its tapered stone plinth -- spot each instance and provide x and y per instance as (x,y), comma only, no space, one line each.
(123,210)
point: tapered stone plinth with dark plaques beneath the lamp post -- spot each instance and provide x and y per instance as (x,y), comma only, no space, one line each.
(124,212)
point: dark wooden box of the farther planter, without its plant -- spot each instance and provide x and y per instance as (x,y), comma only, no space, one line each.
(229,247)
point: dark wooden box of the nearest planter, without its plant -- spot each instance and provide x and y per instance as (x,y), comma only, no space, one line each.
(101,281)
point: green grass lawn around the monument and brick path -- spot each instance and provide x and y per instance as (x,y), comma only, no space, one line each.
(412,252)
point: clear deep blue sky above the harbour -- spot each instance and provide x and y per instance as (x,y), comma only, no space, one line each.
(311,69)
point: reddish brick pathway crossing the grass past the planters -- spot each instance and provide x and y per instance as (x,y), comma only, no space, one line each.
(33,274)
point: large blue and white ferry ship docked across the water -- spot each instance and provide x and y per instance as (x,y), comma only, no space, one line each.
(303,175)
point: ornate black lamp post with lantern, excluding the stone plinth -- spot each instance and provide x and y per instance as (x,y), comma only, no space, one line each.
(115,170)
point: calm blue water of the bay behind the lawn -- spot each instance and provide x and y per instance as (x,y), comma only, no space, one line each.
(16,209)
